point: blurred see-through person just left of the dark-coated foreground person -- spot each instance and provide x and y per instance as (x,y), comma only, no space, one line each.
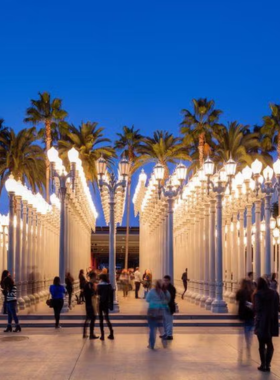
(246,314)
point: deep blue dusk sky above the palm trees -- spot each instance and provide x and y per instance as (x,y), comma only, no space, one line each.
(139,62)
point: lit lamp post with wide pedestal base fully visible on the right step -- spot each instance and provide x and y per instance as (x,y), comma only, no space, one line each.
(224,180)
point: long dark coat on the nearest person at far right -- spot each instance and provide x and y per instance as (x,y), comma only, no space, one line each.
(266,310)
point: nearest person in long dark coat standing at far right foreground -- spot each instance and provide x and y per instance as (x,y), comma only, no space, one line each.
(266,303)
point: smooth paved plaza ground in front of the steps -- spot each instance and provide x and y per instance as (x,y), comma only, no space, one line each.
(195,353)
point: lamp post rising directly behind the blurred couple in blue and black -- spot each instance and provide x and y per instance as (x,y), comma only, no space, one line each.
(171,191)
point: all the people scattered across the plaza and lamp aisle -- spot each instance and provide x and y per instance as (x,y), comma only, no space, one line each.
(258,305)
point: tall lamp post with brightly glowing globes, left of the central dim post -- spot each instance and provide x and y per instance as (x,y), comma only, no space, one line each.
(58,171)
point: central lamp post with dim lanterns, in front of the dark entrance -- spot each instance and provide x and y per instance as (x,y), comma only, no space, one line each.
(112,184)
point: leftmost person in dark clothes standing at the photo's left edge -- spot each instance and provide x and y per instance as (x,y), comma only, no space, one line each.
(10,293)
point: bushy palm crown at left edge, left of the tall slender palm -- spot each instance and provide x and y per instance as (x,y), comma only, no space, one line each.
(20,156)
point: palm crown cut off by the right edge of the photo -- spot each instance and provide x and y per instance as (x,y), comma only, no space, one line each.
(271,129)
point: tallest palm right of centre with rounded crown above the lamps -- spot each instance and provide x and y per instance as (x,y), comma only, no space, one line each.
(197,126)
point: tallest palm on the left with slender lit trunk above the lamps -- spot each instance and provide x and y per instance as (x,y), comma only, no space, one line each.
(46,111)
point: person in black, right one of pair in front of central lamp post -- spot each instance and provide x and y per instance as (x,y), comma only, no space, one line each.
(105,293)
